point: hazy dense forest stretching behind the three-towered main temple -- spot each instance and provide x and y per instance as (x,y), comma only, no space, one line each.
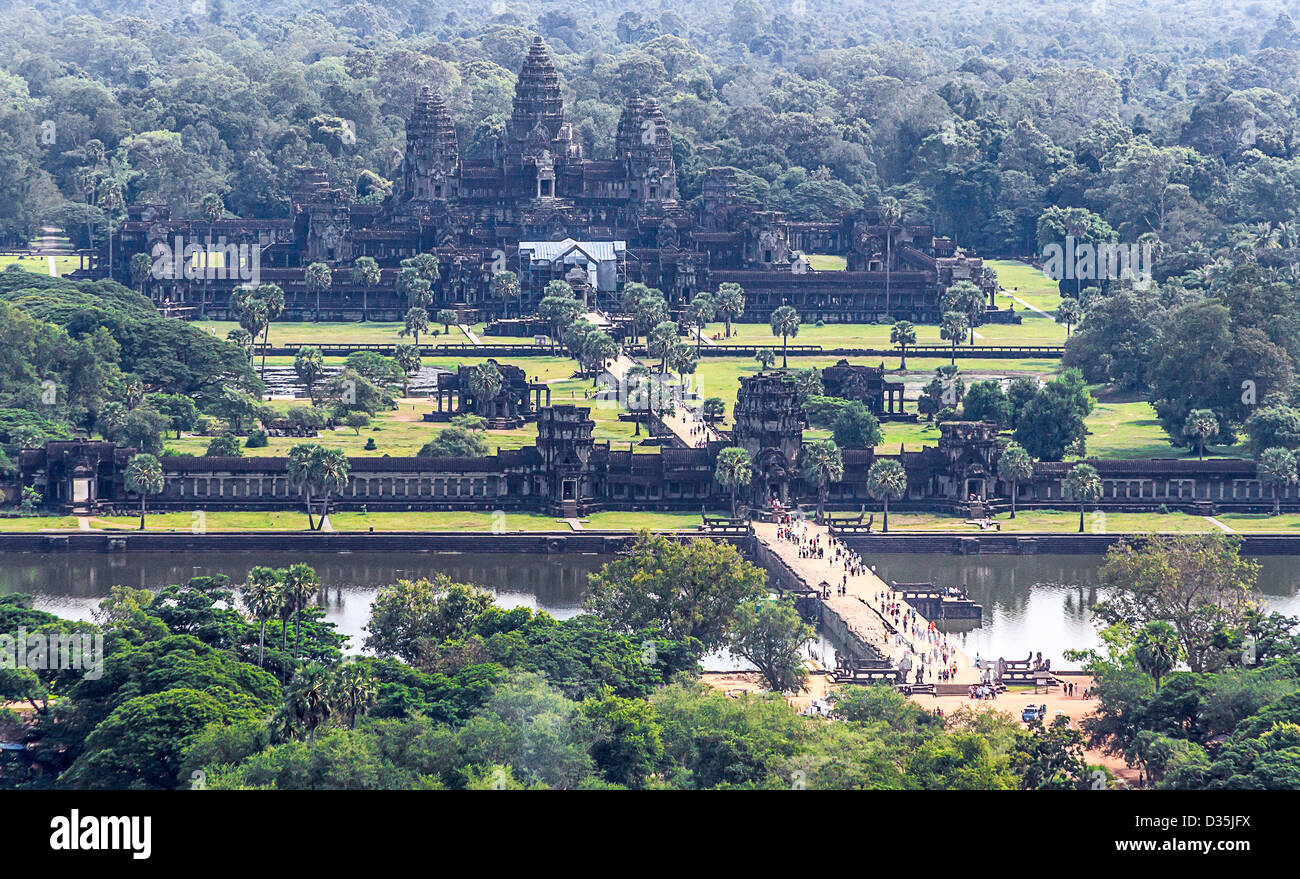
(1167,119)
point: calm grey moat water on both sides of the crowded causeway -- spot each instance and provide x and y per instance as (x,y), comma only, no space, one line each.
(1032,603)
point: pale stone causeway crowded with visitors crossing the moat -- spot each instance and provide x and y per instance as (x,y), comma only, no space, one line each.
(864,608)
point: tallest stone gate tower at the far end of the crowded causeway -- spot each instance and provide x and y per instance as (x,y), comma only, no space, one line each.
(770,427)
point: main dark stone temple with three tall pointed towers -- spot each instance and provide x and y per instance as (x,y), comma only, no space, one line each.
(540,207)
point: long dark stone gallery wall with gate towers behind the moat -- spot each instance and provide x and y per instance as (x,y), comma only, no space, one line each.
(570,474)
